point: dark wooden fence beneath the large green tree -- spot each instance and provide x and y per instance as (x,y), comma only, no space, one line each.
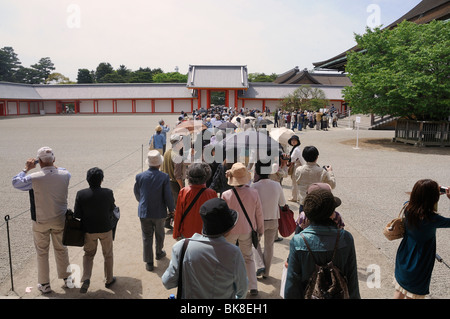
(423,133)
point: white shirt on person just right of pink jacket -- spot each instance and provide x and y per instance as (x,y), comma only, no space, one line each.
(271,196)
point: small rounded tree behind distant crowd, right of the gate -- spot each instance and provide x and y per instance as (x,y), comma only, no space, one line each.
(304,97)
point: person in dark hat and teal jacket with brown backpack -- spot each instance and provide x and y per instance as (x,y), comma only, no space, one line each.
(322,236)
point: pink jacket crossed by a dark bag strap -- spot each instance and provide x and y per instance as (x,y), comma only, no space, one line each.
(252,203)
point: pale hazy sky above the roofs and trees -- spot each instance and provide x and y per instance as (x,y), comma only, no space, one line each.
(268,36)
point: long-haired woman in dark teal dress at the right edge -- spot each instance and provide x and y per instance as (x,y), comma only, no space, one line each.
(416,253)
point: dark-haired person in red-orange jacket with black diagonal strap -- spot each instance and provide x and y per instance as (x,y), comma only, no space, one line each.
(188,221)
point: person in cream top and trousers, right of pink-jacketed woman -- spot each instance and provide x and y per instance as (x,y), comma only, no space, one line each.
(272,197)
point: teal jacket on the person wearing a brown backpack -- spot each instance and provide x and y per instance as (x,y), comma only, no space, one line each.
(321,240)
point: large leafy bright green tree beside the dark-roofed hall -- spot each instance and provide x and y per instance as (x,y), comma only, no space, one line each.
(402,72)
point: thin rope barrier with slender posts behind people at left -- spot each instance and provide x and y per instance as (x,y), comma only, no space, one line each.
(8,218)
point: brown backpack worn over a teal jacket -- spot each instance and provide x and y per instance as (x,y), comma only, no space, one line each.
(327,281)
